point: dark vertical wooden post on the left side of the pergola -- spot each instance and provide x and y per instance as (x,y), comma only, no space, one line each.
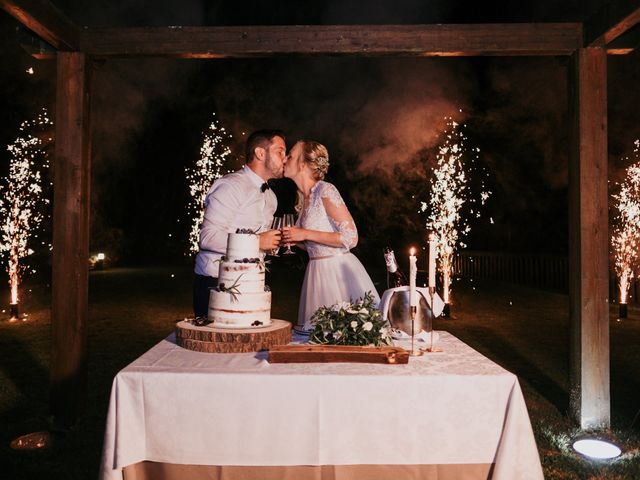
(69,305)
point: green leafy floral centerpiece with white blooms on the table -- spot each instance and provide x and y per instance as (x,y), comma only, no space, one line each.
(350,323)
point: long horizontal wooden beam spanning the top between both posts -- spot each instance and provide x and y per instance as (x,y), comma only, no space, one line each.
(257,41)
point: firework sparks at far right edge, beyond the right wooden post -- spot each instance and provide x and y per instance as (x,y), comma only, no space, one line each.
(626,227)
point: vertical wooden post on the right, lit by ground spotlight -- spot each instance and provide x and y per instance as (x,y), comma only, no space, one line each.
(589,240)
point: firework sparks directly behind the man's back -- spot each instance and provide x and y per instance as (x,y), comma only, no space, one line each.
(211,165)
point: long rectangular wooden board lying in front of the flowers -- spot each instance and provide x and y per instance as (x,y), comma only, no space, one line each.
(337,353)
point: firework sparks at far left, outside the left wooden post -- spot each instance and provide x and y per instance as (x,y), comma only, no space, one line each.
(22,199)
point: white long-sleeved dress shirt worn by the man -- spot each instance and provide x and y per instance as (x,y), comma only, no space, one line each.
(233,201)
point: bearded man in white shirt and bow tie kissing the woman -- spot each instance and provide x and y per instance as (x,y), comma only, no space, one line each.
(242,199)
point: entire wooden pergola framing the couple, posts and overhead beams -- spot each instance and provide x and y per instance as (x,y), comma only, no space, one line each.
(588,44)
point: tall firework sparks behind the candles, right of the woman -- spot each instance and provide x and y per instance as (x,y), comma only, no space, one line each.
(449,192)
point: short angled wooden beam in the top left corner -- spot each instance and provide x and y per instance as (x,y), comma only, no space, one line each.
(46,21)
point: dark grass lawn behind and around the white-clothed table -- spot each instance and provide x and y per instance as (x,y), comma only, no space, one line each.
(131,309)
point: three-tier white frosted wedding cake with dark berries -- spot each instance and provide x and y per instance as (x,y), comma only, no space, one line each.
(241,299)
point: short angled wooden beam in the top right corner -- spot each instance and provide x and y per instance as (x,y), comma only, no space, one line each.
(612,20)
